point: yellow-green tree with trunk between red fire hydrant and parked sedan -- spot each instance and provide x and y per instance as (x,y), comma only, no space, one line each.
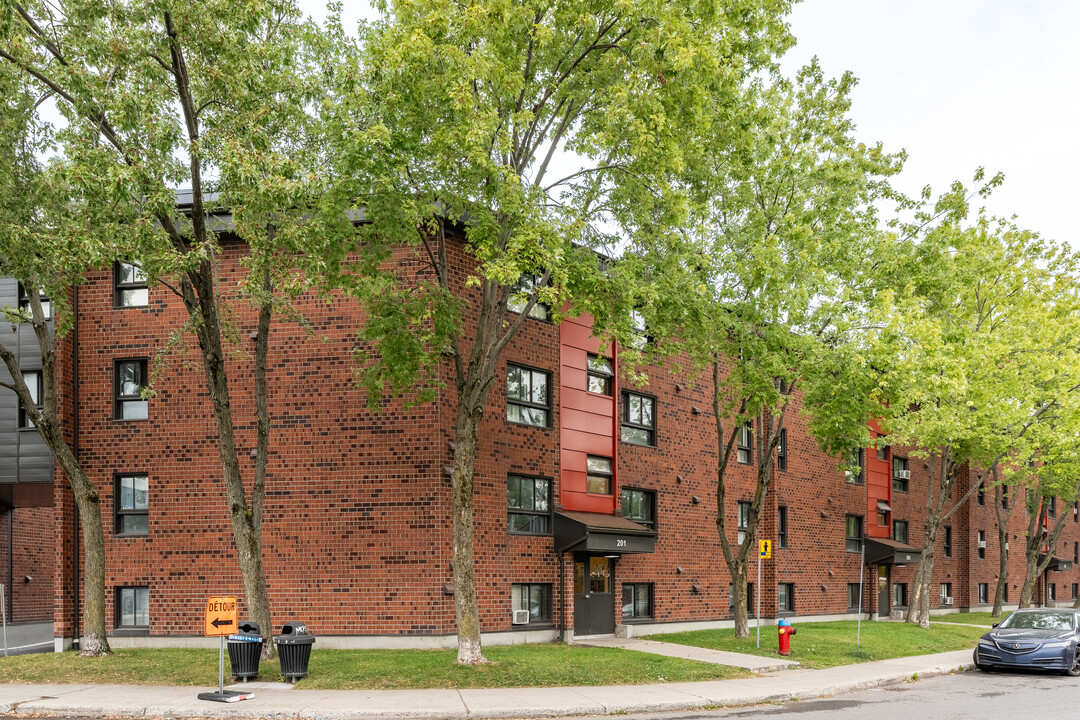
(968,377)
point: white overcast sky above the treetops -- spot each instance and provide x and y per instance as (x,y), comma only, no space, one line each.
(960,84)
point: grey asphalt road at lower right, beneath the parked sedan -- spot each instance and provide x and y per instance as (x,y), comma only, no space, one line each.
(969,696)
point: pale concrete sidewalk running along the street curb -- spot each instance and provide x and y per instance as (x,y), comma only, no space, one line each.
(278,701)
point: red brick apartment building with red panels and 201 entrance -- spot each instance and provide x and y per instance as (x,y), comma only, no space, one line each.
(596,500)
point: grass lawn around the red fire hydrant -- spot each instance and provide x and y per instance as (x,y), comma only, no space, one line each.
(829,645)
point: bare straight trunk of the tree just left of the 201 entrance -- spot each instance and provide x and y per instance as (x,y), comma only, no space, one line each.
(463,481)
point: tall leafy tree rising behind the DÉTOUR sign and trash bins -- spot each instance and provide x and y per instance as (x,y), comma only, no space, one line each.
(215,97)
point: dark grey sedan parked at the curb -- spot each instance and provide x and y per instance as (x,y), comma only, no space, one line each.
(1034,640)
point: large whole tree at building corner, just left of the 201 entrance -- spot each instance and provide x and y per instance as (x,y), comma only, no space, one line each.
(453,118)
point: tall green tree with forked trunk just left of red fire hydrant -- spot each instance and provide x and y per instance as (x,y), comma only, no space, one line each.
(760,293)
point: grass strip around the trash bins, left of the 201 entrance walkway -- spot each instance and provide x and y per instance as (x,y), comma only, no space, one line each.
(516,667)
